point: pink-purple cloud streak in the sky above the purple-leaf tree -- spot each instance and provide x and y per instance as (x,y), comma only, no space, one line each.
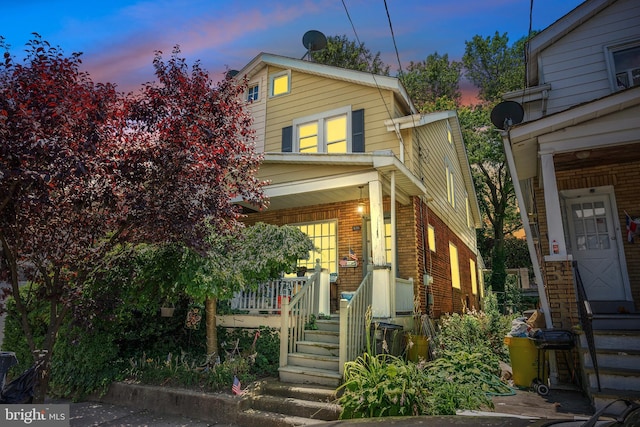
(128,61)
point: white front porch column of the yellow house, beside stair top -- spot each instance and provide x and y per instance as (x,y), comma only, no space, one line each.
(381,299)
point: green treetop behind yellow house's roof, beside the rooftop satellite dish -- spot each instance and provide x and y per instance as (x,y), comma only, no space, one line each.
(345,53)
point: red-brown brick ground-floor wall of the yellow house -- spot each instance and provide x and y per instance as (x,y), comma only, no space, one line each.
(412,257)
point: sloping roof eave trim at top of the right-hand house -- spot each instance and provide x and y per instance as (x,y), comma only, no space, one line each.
(558,30)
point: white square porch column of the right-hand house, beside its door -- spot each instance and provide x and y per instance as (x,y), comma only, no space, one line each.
(552,204)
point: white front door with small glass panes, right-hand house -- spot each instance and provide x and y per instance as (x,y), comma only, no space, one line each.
(594,243)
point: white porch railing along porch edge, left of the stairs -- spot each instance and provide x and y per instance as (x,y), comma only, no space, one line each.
(269,296)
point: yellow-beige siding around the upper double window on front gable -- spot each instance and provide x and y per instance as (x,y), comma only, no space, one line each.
(312,94)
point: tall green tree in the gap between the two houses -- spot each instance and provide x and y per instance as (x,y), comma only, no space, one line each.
(494,67)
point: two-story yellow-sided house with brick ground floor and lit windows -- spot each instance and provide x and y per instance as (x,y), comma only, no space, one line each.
(385,193)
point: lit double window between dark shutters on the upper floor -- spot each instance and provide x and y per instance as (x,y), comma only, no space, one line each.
(323,133)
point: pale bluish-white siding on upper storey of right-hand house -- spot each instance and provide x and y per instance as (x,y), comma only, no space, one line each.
(576,66)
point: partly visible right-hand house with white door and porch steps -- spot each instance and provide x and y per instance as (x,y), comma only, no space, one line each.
(575,160)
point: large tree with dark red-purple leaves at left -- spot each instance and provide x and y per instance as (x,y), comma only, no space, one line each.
(85,169)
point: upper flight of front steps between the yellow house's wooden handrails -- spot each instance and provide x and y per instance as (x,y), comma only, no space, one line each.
(316,357)
